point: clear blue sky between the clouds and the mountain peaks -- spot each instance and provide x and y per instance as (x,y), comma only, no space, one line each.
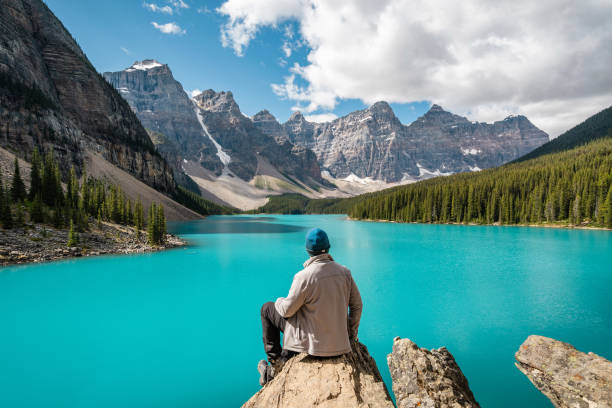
(115,33)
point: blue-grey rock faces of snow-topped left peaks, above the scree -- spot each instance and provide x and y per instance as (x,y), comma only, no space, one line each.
(164,108)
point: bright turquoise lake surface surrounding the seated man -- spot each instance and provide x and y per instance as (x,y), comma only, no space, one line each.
(181,328)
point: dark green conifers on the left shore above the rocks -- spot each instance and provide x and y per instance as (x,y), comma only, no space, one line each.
(84,199)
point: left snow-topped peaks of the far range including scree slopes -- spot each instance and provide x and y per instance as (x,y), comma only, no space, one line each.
(207,137)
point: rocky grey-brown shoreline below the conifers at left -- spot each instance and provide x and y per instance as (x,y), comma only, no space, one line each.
(35,243)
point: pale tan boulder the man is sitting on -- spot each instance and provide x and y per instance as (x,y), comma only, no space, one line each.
(350,380)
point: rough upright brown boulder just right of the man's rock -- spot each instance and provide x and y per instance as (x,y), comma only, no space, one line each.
(427,378)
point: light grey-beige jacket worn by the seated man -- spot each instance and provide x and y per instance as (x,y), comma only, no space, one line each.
(316,309)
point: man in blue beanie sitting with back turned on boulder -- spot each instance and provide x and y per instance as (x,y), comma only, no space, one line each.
(313,317)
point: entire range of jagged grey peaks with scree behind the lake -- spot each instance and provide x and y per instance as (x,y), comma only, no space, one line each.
(366,150)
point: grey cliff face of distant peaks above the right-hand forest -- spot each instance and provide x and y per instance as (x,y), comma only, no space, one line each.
(373,143)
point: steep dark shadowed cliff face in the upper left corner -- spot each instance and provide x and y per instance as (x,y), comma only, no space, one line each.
(51,96)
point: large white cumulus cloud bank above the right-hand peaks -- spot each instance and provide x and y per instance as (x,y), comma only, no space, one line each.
(549,60)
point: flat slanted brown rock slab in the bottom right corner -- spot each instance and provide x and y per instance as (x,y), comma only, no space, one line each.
(568,377)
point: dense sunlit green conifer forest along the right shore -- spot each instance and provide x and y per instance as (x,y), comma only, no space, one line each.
(569,187)
